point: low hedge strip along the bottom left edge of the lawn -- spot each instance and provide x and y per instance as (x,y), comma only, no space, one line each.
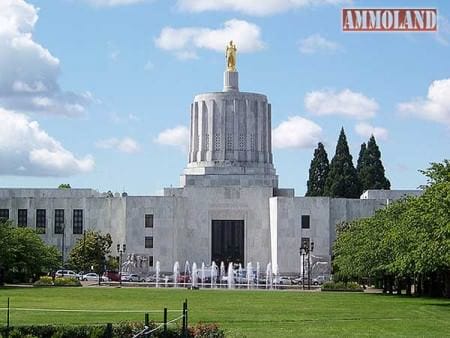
(120,330)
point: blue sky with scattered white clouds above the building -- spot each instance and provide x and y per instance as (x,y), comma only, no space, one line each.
(96,93)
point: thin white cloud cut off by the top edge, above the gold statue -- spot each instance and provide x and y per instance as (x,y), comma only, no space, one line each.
(252,7)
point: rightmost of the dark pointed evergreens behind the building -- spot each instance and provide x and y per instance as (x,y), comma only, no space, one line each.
(371,173)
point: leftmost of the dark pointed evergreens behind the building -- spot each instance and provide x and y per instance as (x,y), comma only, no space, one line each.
(318,172)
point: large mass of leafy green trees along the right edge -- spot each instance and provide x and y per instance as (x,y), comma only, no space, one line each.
(406,243)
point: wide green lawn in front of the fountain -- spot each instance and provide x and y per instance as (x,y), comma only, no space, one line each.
(242,313)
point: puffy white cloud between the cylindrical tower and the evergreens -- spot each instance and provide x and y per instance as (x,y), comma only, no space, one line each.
(296,132)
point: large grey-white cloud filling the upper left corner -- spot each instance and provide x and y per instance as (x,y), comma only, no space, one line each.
(29,72)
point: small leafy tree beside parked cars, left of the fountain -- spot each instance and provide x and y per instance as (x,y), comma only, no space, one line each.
(90,251)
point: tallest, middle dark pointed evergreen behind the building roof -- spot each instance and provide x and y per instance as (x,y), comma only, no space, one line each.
(342,180)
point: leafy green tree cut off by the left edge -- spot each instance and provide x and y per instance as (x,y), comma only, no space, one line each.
(23,254)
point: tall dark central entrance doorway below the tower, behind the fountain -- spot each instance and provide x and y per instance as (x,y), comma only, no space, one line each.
(228,241)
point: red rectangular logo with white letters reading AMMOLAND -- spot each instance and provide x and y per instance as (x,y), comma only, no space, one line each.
(389,19)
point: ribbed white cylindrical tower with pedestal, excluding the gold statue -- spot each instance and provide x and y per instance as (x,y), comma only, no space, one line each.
(230,134)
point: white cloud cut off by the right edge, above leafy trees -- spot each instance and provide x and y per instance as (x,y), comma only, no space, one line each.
(435,107)
